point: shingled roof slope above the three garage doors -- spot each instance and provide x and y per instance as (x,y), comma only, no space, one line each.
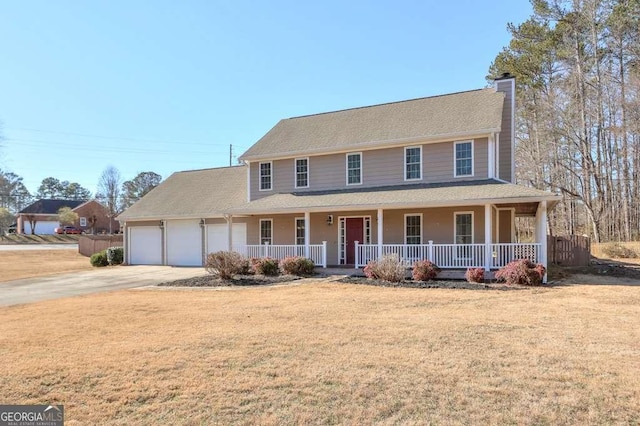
(192,194)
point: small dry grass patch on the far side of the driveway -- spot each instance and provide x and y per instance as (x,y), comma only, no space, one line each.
(15,265)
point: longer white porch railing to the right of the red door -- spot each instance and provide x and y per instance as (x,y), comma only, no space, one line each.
(452,256)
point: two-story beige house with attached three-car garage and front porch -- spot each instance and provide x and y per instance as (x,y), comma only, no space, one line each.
(429,178)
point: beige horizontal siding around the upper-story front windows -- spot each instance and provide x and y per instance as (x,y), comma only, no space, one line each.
(381,167)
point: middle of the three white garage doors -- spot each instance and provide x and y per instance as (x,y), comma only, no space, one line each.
(184,243)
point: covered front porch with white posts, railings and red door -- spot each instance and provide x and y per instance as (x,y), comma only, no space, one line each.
(460,237)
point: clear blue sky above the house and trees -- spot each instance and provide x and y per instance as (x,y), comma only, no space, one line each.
(166,86)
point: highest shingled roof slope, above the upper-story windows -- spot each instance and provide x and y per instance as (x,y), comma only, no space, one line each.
(453,115)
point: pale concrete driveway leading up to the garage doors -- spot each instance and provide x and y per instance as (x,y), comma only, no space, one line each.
(30,290)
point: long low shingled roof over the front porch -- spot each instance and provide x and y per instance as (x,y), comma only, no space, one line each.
(402,196)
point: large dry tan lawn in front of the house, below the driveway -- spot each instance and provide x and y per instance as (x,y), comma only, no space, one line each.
(329,353)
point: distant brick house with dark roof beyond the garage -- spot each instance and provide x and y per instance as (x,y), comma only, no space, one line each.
(93,217)
